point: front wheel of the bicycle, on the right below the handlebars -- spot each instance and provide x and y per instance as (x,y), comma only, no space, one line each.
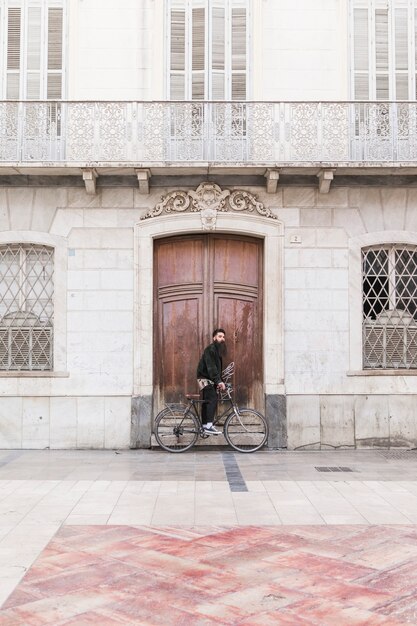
(246,430)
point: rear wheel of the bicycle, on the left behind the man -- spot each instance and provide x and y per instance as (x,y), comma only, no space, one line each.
(176,430)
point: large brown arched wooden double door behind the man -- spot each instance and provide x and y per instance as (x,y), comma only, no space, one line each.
(203,282)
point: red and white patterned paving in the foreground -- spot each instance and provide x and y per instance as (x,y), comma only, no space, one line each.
(241,576)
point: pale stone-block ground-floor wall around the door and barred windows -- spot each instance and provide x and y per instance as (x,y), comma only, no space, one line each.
(93,398)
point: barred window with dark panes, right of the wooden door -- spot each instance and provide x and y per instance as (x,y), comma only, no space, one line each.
(389,296)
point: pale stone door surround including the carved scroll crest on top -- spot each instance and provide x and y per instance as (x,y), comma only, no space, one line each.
(225,211)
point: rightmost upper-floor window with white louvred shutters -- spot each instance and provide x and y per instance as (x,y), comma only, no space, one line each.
(384,50)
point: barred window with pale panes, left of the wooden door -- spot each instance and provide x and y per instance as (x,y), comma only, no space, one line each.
(26,307)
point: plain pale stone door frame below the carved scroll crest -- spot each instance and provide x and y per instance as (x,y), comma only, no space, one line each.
(271,231)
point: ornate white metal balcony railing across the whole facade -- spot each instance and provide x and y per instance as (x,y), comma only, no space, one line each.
(220,132)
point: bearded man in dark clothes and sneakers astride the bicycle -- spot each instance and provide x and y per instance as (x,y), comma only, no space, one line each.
(209,378)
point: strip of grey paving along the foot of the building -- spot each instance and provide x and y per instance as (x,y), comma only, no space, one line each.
(156,465)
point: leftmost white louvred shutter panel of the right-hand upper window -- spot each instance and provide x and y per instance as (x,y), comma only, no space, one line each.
(361,54)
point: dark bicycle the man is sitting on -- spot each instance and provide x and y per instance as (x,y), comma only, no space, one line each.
(178,426)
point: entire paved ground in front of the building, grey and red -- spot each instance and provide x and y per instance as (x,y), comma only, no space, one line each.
(45,494)
